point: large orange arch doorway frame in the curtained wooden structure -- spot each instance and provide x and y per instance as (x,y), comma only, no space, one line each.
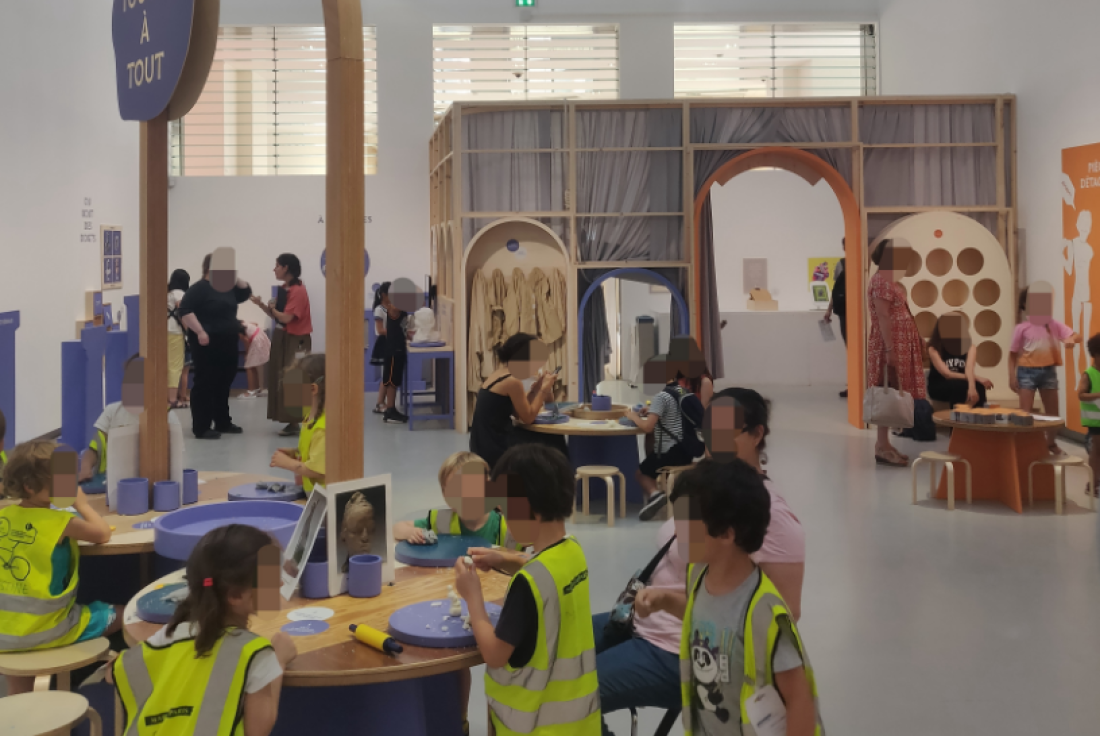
(813,170)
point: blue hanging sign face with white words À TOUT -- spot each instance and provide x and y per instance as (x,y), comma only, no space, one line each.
(151,43)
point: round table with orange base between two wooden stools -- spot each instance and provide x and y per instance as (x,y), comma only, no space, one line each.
(1000,456)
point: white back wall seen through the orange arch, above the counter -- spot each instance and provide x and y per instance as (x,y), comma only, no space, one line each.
(778,216)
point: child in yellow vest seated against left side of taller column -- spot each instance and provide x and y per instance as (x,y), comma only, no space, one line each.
(304,386)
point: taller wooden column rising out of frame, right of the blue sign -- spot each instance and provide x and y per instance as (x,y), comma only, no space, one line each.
(345,240)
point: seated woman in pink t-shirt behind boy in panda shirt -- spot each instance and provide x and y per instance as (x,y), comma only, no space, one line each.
(644,671)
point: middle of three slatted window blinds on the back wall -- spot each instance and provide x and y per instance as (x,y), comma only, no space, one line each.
(483,63)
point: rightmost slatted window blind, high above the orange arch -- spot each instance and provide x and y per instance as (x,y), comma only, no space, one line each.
(817,60)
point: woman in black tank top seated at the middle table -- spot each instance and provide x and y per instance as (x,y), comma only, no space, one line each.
(502,397)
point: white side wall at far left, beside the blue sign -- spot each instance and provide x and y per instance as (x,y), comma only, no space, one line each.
(61,140)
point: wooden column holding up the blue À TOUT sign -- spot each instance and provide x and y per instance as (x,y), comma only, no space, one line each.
(155,296)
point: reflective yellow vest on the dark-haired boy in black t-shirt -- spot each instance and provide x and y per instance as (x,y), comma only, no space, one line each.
(556,694)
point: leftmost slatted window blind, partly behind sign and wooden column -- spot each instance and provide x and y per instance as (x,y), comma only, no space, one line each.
(262,112)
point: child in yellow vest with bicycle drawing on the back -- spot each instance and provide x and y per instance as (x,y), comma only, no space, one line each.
(40,557)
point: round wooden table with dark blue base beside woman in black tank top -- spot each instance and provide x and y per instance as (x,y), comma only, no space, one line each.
(595,443)
